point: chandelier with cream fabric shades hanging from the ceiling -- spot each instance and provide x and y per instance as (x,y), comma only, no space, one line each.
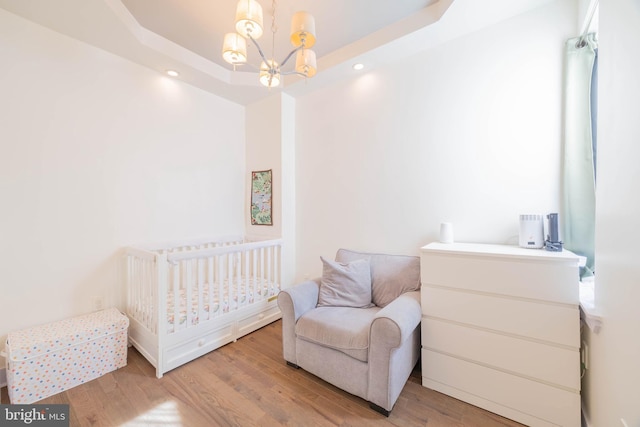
(249,26)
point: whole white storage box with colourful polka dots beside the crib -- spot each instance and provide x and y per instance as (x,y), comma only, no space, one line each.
(48,359)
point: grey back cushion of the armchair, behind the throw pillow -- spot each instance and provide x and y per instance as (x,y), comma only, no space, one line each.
(391,275)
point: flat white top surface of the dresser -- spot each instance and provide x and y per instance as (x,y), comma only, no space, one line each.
(507,251)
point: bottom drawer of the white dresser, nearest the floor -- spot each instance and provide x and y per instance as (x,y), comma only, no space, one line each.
(521,399)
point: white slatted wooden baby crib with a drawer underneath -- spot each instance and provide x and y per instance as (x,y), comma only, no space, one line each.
(186,300)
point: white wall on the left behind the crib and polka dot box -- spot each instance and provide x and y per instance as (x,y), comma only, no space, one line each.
(98,153)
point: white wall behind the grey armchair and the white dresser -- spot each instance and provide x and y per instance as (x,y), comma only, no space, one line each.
(467,132)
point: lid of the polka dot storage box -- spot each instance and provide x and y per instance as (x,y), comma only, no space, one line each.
(38,340)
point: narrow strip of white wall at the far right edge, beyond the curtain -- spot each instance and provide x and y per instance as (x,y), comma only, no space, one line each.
(611,384)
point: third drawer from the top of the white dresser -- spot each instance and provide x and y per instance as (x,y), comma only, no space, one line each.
(542,362)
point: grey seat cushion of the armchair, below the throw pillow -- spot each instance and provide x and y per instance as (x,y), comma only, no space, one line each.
(342,328)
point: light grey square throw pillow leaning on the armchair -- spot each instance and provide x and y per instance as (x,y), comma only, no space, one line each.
(345,285)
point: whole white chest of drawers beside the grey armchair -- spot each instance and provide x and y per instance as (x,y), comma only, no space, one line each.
(501,330)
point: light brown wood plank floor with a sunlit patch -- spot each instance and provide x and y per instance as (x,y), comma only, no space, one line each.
(247,383)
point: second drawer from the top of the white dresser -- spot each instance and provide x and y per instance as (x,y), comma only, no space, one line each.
(555,323)
